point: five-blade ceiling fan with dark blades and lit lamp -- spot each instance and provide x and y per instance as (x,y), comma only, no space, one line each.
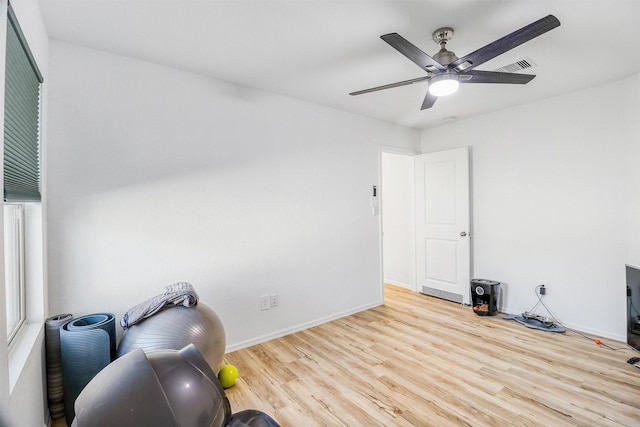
(445,70)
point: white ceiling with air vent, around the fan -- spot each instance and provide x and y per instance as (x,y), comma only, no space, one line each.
(320,50)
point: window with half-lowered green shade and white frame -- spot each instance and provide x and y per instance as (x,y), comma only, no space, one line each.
(22,175)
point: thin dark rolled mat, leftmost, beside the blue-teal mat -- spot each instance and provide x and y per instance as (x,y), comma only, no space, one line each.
(54,364)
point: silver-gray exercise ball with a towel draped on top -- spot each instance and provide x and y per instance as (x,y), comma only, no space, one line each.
(176,327)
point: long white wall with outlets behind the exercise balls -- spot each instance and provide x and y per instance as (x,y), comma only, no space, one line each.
(157,175)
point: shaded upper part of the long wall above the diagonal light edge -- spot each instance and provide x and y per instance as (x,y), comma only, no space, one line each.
(116,121)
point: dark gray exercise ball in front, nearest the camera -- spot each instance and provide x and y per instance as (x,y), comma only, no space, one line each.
(165,388)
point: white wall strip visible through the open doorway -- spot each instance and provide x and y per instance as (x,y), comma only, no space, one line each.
(398,219)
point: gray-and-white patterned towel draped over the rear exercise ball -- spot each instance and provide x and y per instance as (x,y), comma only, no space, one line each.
(181,293)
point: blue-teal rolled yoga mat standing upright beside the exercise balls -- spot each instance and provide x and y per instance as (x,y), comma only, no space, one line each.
(87,344)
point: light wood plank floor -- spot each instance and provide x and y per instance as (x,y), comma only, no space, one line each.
(422,361)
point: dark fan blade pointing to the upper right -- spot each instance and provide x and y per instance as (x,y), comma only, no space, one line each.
(505,44)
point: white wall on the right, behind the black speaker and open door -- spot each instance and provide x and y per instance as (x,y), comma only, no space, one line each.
(555,198)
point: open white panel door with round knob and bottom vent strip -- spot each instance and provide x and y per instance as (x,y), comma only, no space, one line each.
(443,249)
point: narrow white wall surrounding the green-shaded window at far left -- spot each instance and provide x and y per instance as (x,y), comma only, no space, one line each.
(22,380)
